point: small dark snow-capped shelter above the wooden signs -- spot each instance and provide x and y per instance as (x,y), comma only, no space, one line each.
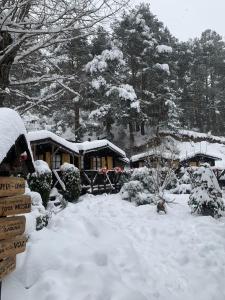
(15,152)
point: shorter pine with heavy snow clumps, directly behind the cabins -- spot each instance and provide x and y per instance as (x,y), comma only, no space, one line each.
(115,101)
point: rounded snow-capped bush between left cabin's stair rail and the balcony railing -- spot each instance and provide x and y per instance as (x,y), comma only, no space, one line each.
(71,179)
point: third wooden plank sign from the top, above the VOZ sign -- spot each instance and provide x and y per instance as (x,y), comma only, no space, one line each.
(12,226)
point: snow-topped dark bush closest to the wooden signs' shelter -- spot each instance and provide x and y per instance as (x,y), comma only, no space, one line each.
(41,180)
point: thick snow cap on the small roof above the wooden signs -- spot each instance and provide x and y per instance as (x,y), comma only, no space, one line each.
(11,127)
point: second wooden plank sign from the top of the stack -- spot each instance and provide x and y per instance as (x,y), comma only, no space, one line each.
(15,205)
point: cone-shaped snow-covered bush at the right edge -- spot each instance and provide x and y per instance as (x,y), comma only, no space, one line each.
(206,196)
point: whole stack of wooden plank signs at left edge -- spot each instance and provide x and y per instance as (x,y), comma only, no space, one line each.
(13,202)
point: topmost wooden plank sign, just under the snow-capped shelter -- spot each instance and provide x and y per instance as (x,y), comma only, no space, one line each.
(10,186)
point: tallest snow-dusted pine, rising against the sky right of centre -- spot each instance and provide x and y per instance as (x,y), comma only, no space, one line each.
(147,48)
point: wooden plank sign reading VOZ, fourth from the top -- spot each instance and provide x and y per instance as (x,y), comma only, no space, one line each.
(11,247)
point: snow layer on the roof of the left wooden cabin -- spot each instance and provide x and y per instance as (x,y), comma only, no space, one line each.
(45,134)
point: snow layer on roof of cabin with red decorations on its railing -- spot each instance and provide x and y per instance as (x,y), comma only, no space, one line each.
(93,145)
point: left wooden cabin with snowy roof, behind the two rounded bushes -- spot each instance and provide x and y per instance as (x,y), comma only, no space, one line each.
(53,149)
